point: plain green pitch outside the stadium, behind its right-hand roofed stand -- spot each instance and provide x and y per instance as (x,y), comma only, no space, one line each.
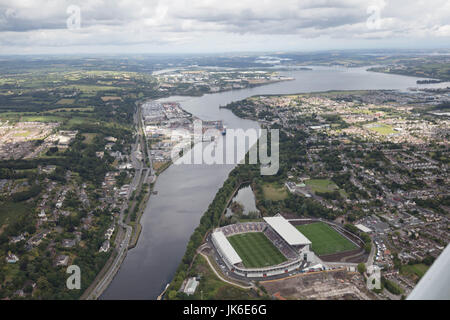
(325,240)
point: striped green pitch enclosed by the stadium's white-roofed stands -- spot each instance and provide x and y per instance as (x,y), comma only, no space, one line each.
(256,250)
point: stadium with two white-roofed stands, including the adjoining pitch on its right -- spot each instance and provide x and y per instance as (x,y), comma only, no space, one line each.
(277,246)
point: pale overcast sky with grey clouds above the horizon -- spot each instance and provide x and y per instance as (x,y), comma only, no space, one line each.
(172,26)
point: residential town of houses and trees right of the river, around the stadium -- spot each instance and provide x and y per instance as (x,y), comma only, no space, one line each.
(374,163)
